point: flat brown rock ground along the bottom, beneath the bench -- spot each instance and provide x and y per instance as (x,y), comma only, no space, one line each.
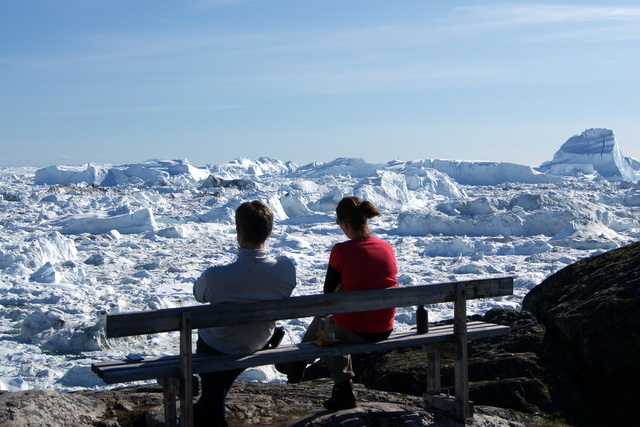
(248,403)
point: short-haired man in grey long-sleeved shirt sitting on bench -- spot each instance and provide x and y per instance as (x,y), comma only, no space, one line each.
(254,276)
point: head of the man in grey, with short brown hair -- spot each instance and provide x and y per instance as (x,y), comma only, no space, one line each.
(254,222)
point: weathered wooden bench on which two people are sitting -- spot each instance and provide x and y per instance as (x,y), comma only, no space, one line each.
(175,373)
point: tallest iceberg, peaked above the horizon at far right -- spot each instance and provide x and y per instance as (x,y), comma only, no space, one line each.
(594,150)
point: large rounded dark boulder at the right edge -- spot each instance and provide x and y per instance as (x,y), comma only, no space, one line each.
(590,310)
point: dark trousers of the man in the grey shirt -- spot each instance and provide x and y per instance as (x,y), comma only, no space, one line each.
(210,408)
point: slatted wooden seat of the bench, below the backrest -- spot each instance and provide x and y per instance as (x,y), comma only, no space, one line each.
(124,371)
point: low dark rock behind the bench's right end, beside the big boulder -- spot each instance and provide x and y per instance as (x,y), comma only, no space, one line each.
(503,371)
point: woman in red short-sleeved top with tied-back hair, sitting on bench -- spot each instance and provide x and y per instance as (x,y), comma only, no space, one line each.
(362,262)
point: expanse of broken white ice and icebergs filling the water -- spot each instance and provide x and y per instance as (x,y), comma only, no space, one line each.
(77,242)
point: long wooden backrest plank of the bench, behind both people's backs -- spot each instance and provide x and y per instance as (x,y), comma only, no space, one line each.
(165,320)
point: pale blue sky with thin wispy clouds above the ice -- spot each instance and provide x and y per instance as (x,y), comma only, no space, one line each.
(114,81)
